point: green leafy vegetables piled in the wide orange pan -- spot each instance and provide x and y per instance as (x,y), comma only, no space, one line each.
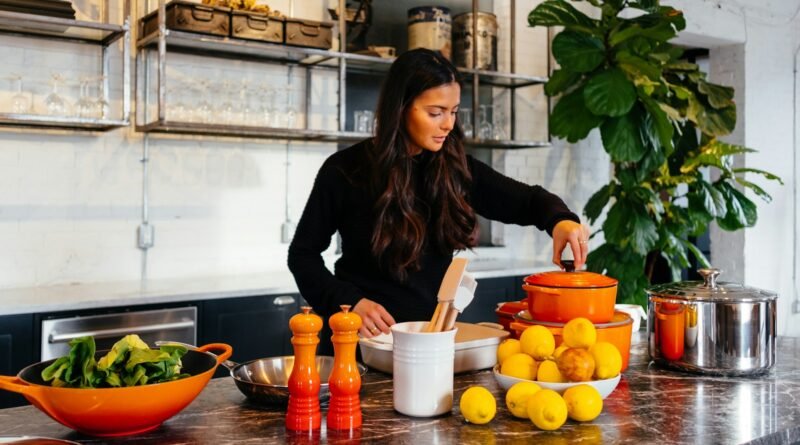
(130,362)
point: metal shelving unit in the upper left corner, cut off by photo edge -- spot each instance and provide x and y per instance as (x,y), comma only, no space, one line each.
(74,31)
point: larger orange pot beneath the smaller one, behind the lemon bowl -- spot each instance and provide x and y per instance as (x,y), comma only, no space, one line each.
(617,331)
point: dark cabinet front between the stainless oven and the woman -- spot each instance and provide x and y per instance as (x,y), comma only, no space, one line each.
(256,327)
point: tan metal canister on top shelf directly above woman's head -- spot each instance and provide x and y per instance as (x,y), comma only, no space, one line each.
(430,27)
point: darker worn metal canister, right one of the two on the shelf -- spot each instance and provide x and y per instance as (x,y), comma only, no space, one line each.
(486,41)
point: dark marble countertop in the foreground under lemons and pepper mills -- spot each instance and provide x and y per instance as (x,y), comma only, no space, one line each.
(650,405)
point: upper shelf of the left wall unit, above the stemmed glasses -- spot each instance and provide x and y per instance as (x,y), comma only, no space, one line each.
(60,29)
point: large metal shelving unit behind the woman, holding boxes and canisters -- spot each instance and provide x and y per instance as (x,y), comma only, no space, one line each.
(164,39)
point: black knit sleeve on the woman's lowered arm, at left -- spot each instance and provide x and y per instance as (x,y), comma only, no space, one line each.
(313,236)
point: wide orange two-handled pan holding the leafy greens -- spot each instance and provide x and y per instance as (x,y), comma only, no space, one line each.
(110,412)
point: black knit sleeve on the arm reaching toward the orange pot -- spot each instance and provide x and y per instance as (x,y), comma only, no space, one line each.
(500,198)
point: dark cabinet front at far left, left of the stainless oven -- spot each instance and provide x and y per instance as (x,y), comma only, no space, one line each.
(16,352)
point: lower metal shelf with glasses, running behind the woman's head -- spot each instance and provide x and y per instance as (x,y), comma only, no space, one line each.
(203,129)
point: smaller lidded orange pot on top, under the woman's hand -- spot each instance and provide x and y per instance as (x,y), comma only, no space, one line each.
(561,296)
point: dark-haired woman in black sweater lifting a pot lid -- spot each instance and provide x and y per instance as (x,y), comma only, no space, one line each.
(405,200)
